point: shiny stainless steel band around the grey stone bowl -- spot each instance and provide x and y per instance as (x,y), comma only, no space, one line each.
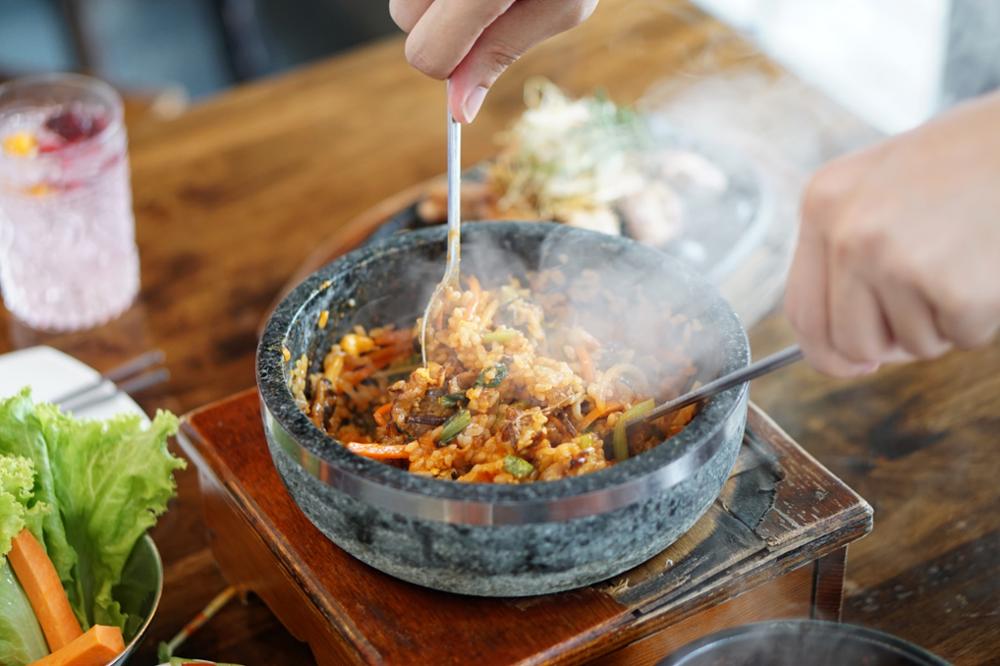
(536,510)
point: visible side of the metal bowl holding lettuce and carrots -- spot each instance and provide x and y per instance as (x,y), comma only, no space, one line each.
(139,592)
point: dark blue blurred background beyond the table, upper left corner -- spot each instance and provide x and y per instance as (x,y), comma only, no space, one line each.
(192,48)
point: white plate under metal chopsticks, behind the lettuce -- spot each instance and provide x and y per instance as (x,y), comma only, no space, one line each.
(51,373)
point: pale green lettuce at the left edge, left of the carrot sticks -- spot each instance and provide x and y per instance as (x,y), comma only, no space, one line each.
(21,639)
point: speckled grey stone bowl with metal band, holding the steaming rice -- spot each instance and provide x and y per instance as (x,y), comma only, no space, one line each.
(485,539)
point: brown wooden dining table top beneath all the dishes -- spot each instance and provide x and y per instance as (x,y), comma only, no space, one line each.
(232,195)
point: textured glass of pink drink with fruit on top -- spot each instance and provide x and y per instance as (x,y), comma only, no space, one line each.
(68,259)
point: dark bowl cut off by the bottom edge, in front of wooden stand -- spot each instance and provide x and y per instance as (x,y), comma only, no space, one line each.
(797,642)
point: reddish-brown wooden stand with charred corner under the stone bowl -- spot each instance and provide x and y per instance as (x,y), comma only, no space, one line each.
(772,545)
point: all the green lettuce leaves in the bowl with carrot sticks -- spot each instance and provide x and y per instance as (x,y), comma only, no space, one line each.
(87,491)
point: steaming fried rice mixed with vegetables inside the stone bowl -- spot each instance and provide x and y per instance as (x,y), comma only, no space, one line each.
(513,392)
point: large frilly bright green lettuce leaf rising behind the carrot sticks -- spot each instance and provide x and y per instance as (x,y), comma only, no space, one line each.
(107,482)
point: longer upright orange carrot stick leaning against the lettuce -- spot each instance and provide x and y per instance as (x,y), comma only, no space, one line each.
(48,599)
